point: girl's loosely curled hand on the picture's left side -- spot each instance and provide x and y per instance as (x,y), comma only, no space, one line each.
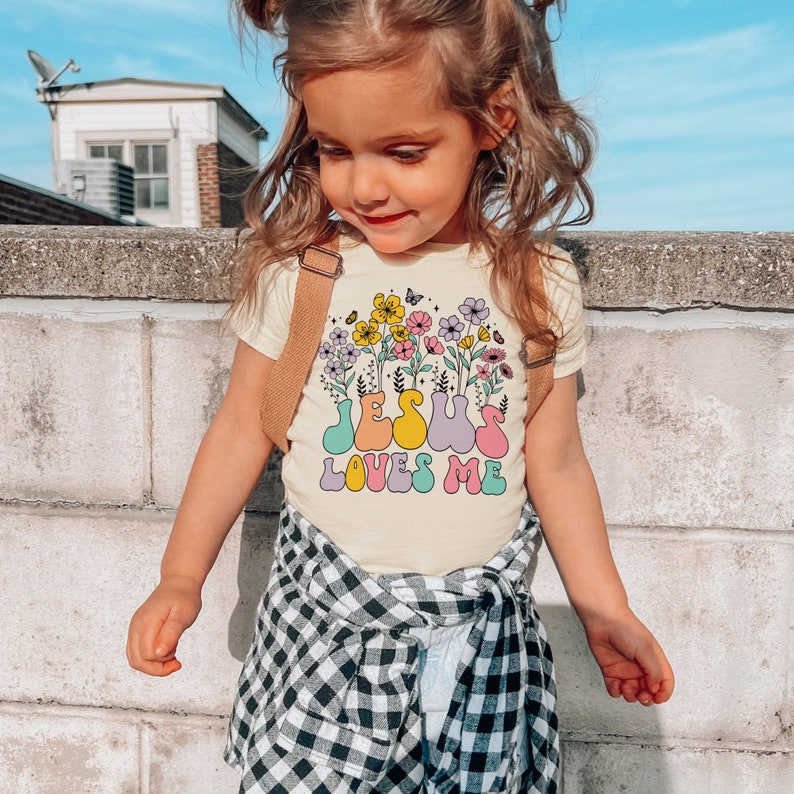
(158,624)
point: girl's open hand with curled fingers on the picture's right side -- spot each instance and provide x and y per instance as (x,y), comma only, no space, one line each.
(631,660)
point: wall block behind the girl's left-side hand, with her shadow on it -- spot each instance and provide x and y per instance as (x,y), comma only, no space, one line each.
(78,576)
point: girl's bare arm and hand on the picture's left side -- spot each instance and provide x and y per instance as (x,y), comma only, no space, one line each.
(228,464)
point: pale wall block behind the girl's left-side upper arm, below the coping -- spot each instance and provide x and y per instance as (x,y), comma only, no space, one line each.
(191,362)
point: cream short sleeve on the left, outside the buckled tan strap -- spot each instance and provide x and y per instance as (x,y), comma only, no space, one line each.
(266,328)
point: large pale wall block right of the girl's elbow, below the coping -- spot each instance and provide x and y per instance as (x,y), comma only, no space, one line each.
(692,428)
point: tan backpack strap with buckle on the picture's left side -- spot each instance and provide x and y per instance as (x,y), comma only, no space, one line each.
(319,268)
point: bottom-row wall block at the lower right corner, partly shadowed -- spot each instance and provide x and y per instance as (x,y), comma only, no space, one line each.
(635,769)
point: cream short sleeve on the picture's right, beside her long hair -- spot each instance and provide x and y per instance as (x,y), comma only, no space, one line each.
(564,294)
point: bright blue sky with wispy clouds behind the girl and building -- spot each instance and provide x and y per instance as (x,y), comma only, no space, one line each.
(693,99)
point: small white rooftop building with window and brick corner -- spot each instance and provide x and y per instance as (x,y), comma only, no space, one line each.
(192,147)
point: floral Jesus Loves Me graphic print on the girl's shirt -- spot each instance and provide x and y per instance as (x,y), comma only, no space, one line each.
(417,399)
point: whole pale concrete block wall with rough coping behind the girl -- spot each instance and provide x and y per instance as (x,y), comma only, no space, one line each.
(112,362)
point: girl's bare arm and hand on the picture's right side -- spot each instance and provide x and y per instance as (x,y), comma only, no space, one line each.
(564,494)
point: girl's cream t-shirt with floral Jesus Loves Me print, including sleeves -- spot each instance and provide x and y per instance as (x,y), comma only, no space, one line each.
(407,446)
